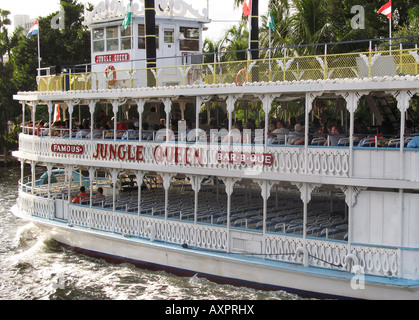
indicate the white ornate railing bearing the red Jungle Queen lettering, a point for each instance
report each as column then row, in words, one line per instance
column 249, row 159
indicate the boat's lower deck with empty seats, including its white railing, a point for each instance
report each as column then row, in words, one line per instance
column 240, row 223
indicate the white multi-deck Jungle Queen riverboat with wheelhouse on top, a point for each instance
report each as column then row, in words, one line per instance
column 259, row 210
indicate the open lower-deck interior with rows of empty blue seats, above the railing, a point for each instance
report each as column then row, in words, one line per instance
column 327, row 215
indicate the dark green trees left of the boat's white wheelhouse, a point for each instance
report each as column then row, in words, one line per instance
column 58, row 47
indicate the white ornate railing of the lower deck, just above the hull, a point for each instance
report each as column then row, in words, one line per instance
column 372, row 260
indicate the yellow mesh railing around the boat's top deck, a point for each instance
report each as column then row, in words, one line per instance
column 288, row 68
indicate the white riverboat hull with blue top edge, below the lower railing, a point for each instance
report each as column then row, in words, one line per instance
column 225, row 268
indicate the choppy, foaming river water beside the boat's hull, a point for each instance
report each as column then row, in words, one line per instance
column 33, row 267
